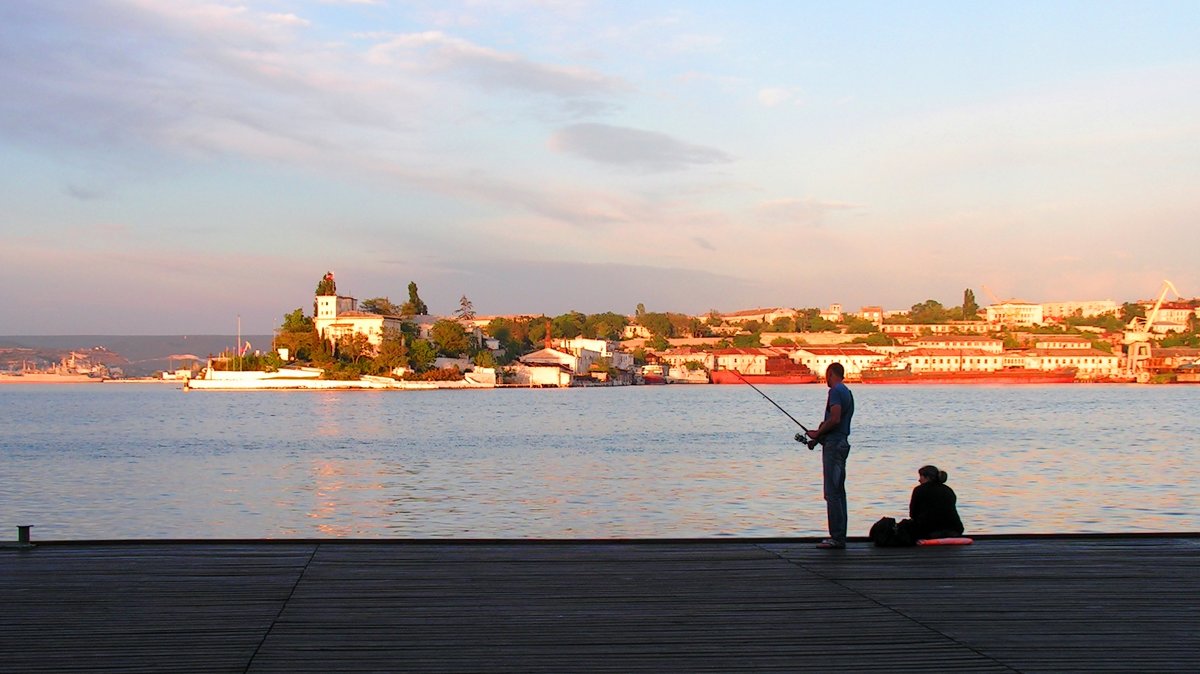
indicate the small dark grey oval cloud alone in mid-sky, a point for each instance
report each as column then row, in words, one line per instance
column 632, row 148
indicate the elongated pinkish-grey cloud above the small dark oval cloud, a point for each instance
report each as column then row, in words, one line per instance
column 435, row 51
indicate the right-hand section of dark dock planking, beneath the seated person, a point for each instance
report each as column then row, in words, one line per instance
column 1042, row 605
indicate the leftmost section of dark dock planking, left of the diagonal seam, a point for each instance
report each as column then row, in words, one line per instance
column 141, row 609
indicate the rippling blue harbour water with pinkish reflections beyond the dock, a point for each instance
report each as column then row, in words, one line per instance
column 149, row 461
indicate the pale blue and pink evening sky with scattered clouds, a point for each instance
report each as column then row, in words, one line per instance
column 178, row 167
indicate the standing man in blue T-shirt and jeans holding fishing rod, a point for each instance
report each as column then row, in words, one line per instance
column 835, row 438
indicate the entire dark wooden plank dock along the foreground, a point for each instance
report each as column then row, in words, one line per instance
column 1083, row 604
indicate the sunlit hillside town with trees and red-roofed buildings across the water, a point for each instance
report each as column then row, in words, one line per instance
column 376, row 344
